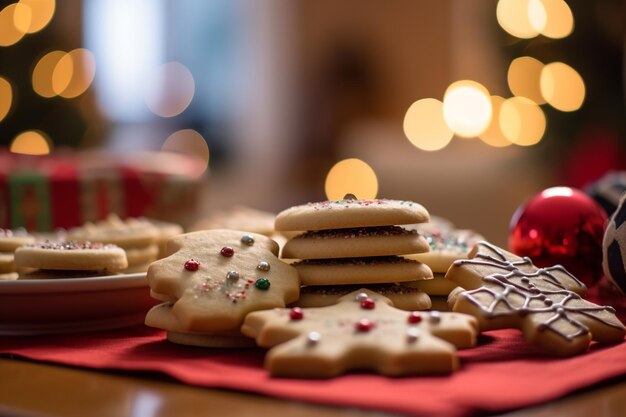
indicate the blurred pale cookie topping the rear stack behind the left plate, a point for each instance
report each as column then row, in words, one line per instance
column 128, row 233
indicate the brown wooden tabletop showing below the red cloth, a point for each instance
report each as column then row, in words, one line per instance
column 30, row 389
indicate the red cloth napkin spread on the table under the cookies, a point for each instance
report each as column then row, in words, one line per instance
column 503, row 373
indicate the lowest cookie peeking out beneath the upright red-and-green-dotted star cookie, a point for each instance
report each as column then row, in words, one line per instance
column 161, row 316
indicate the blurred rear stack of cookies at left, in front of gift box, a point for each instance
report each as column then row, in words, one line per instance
column 142, row 239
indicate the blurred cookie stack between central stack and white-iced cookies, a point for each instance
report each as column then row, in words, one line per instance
column 447, row 244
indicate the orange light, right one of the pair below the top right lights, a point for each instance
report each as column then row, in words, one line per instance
column 562, row 86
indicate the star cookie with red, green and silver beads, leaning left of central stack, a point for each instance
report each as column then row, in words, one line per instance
column 216, row 277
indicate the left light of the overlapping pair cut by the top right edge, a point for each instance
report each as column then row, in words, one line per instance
column 514, row 16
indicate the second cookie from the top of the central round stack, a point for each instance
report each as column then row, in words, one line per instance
column 355, row 242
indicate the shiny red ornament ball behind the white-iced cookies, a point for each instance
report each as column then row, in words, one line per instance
column 561, row 226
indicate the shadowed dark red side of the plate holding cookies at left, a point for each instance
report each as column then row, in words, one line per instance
column 60, row 305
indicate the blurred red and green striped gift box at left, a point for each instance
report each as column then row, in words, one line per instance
column 66, row 189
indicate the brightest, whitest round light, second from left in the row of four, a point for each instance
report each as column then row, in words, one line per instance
column 467, row 108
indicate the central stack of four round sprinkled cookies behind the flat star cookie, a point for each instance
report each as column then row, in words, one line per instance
column 350, row 244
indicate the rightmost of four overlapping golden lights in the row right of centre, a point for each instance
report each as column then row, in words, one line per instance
column 522, row 121
